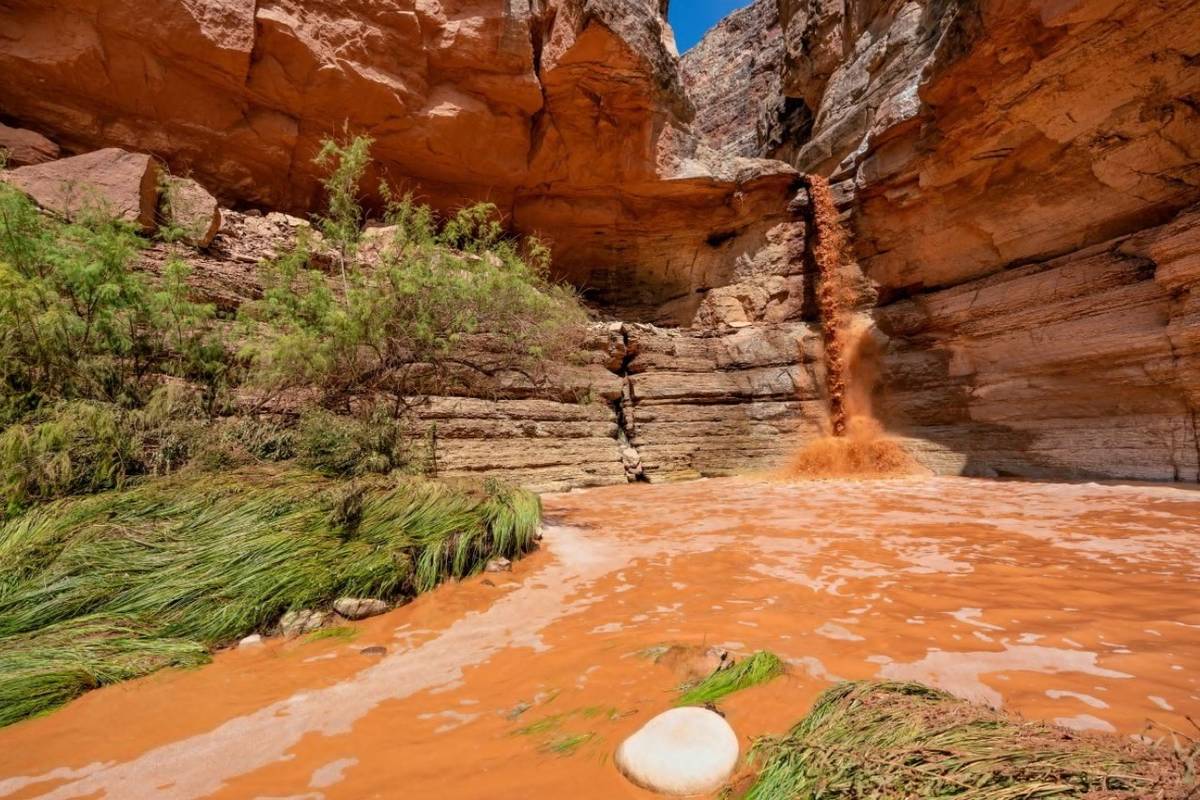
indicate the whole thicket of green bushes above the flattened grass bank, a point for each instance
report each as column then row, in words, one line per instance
column 109, row 374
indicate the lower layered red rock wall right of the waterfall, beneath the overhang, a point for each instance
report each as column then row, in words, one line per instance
column 1081, row 366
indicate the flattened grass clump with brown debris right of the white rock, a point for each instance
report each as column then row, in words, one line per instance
column 874, row 741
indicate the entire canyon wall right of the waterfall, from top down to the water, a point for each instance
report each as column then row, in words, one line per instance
column 1021, row 182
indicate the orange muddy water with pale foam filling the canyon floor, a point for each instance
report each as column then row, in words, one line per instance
column 1070, row 603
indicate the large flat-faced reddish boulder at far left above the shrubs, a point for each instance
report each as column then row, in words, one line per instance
column 111, row 182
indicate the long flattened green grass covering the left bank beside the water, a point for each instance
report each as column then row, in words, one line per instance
column 117, row 586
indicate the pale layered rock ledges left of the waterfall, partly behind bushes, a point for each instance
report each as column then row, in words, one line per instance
column 641, row 404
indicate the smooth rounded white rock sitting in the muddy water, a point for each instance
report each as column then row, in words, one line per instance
column 681, row 753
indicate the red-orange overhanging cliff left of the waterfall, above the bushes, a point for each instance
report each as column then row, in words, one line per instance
column 568, row 115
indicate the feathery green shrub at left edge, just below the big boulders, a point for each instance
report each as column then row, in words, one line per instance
column 79, row 323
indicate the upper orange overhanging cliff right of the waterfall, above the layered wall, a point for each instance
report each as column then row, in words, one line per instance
column 969, row 137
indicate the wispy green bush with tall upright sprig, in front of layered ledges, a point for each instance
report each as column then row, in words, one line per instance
column 431, row 312
